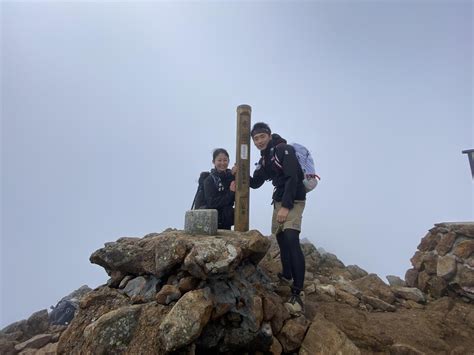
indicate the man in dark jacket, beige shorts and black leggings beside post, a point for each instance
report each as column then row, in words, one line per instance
column 279, row 164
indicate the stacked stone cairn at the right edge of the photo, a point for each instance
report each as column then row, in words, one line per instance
column 444, row 262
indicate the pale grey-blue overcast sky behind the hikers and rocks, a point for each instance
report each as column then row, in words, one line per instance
column 111, row 110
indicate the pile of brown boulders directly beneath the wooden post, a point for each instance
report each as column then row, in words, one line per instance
column 178, row 292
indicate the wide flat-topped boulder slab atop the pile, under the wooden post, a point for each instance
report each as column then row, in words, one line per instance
column 202, row 256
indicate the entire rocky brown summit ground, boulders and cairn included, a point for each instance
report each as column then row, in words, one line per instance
column 181, row 294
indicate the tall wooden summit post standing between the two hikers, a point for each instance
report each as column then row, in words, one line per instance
column 241, row 222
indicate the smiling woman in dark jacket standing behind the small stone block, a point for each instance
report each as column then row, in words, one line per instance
column 219, row 189
